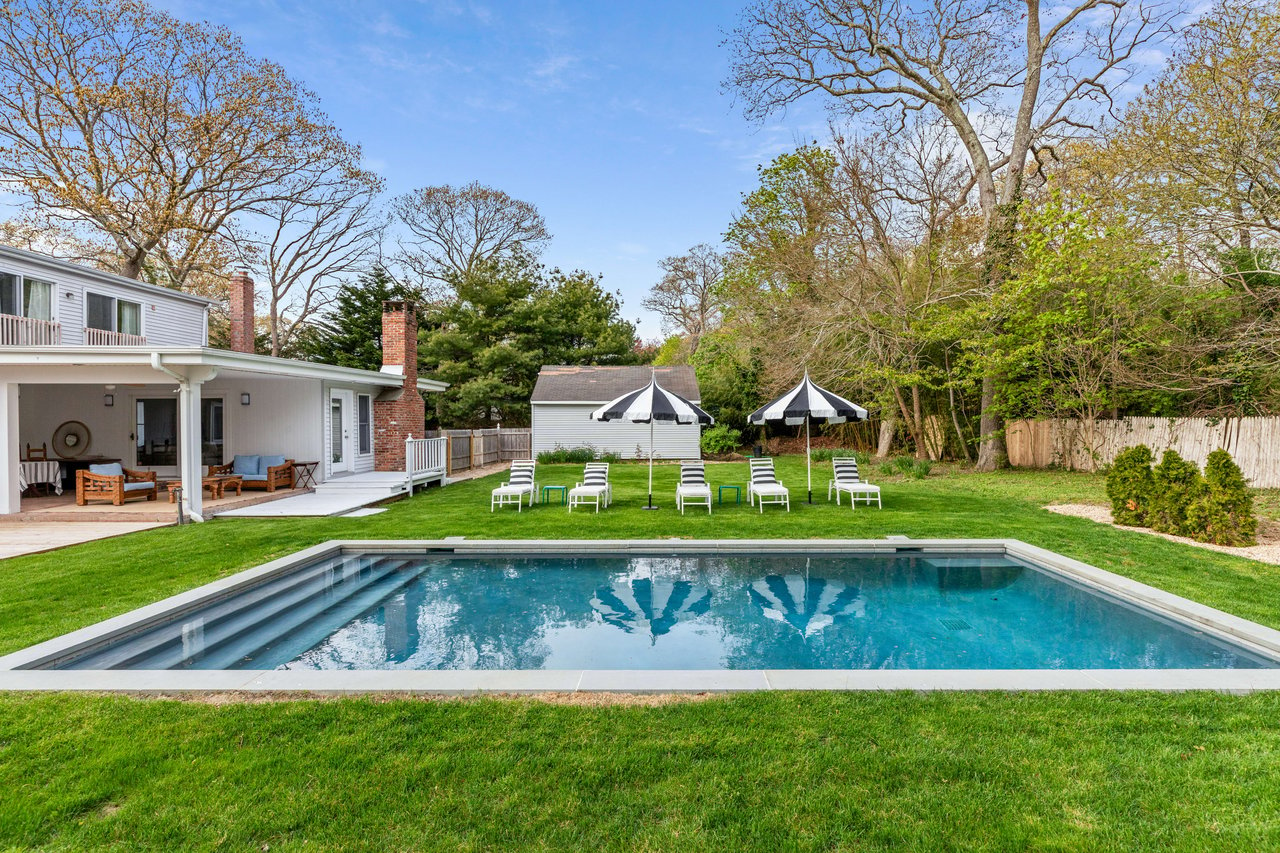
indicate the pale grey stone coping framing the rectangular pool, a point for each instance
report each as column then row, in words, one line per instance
column 16, row 673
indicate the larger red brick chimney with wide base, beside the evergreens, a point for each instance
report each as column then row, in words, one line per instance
column 396, row 419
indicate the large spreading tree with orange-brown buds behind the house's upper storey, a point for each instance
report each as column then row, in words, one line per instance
column 127, row 122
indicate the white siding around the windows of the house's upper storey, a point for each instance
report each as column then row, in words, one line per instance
column 167, row 321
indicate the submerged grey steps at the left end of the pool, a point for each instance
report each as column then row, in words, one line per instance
column 170, row 646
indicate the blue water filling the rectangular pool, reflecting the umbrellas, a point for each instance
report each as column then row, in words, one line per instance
column 847, row 612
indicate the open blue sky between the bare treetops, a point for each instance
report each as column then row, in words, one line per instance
column 607, row 116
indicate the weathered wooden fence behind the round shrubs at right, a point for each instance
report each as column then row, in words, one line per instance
column 1087, row 446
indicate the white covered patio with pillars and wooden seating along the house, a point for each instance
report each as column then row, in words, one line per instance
column 175, row 413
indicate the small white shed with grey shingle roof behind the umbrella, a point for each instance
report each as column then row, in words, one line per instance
column 566, row 395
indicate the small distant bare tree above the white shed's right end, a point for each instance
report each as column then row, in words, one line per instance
column 685, row 299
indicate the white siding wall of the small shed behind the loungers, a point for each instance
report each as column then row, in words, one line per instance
column 570, row 426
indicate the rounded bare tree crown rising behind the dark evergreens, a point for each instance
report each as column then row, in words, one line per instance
column 454, row 231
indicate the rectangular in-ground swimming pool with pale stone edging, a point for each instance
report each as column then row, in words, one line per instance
column 638, row 608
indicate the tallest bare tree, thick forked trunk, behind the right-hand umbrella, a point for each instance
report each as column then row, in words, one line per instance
column 1009, row 77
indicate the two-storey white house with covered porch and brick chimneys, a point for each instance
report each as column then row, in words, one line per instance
column 127, row 368
